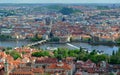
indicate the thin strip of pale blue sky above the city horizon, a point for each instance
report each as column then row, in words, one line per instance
column 59, row 1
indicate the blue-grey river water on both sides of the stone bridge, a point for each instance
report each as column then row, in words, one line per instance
column 106, row 49
